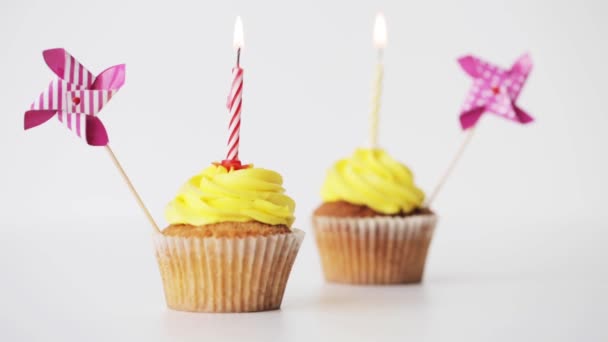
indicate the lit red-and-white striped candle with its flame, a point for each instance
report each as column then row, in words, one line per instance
column 235, row 98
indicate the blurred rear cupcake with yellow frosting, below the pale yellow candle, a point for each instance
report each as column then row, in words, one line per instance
column 372, row 227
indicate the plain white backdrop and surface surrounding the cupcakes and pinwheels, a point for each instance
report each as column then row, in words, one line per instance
column 520, row 250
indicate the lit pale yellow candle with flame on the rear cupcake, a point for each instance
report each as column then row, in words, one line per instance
column 380, row 44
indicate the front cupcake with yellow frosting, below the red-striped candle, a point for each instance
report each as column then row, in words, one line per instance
column 230, row 245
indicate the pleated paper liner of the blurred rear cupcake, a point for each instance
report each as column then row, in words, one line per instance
column 377, row 250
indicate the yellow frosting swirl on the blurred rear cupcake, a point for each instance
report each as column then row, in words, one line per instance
column 371, row 177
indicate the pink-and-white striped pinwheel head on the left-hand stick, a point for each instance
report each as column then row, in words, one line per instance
column 76, row 97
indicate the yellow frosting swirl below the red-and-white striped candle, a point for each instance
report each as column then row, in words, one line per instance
column 221, row 195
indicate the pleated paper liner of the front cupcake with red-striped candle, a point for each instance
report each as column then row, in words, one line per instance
column 226, row 274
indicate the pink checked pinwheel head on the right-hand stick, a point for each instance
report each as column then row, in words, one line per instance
column 494, row 90
